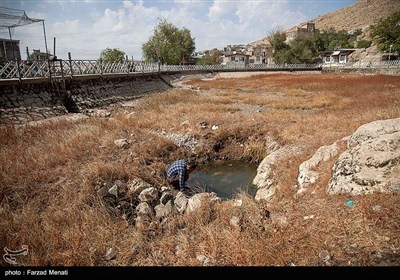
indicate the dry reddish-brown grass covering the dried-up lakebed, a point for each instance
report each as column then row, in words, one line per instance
column 48, row 175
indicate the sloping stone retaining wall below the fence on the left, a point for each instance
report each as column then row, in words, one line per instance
column 36, row 99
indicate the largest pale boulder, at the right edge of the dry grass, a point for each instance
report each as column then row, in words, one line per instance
column 371, row 164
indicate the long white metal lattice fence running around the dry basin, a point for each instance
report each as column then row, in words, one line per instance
column 69, row 68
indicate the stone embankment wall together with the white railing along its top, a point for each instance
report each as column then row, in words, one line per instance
column 36, row 90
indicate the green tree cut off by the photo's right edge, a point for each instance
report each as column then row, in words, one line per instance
column 386, row 33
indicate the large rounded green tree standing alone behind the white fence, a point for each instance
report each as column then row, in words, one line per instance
column 169, row 44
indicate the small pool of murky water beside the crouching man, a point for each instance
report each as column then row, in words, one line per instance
column 225, row 178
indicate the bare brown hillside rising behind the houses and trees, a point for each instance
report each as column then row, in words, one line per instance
column 358, row 15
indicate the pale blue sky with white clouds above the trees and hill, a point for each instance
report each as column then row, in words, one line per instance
column 86, row 27
